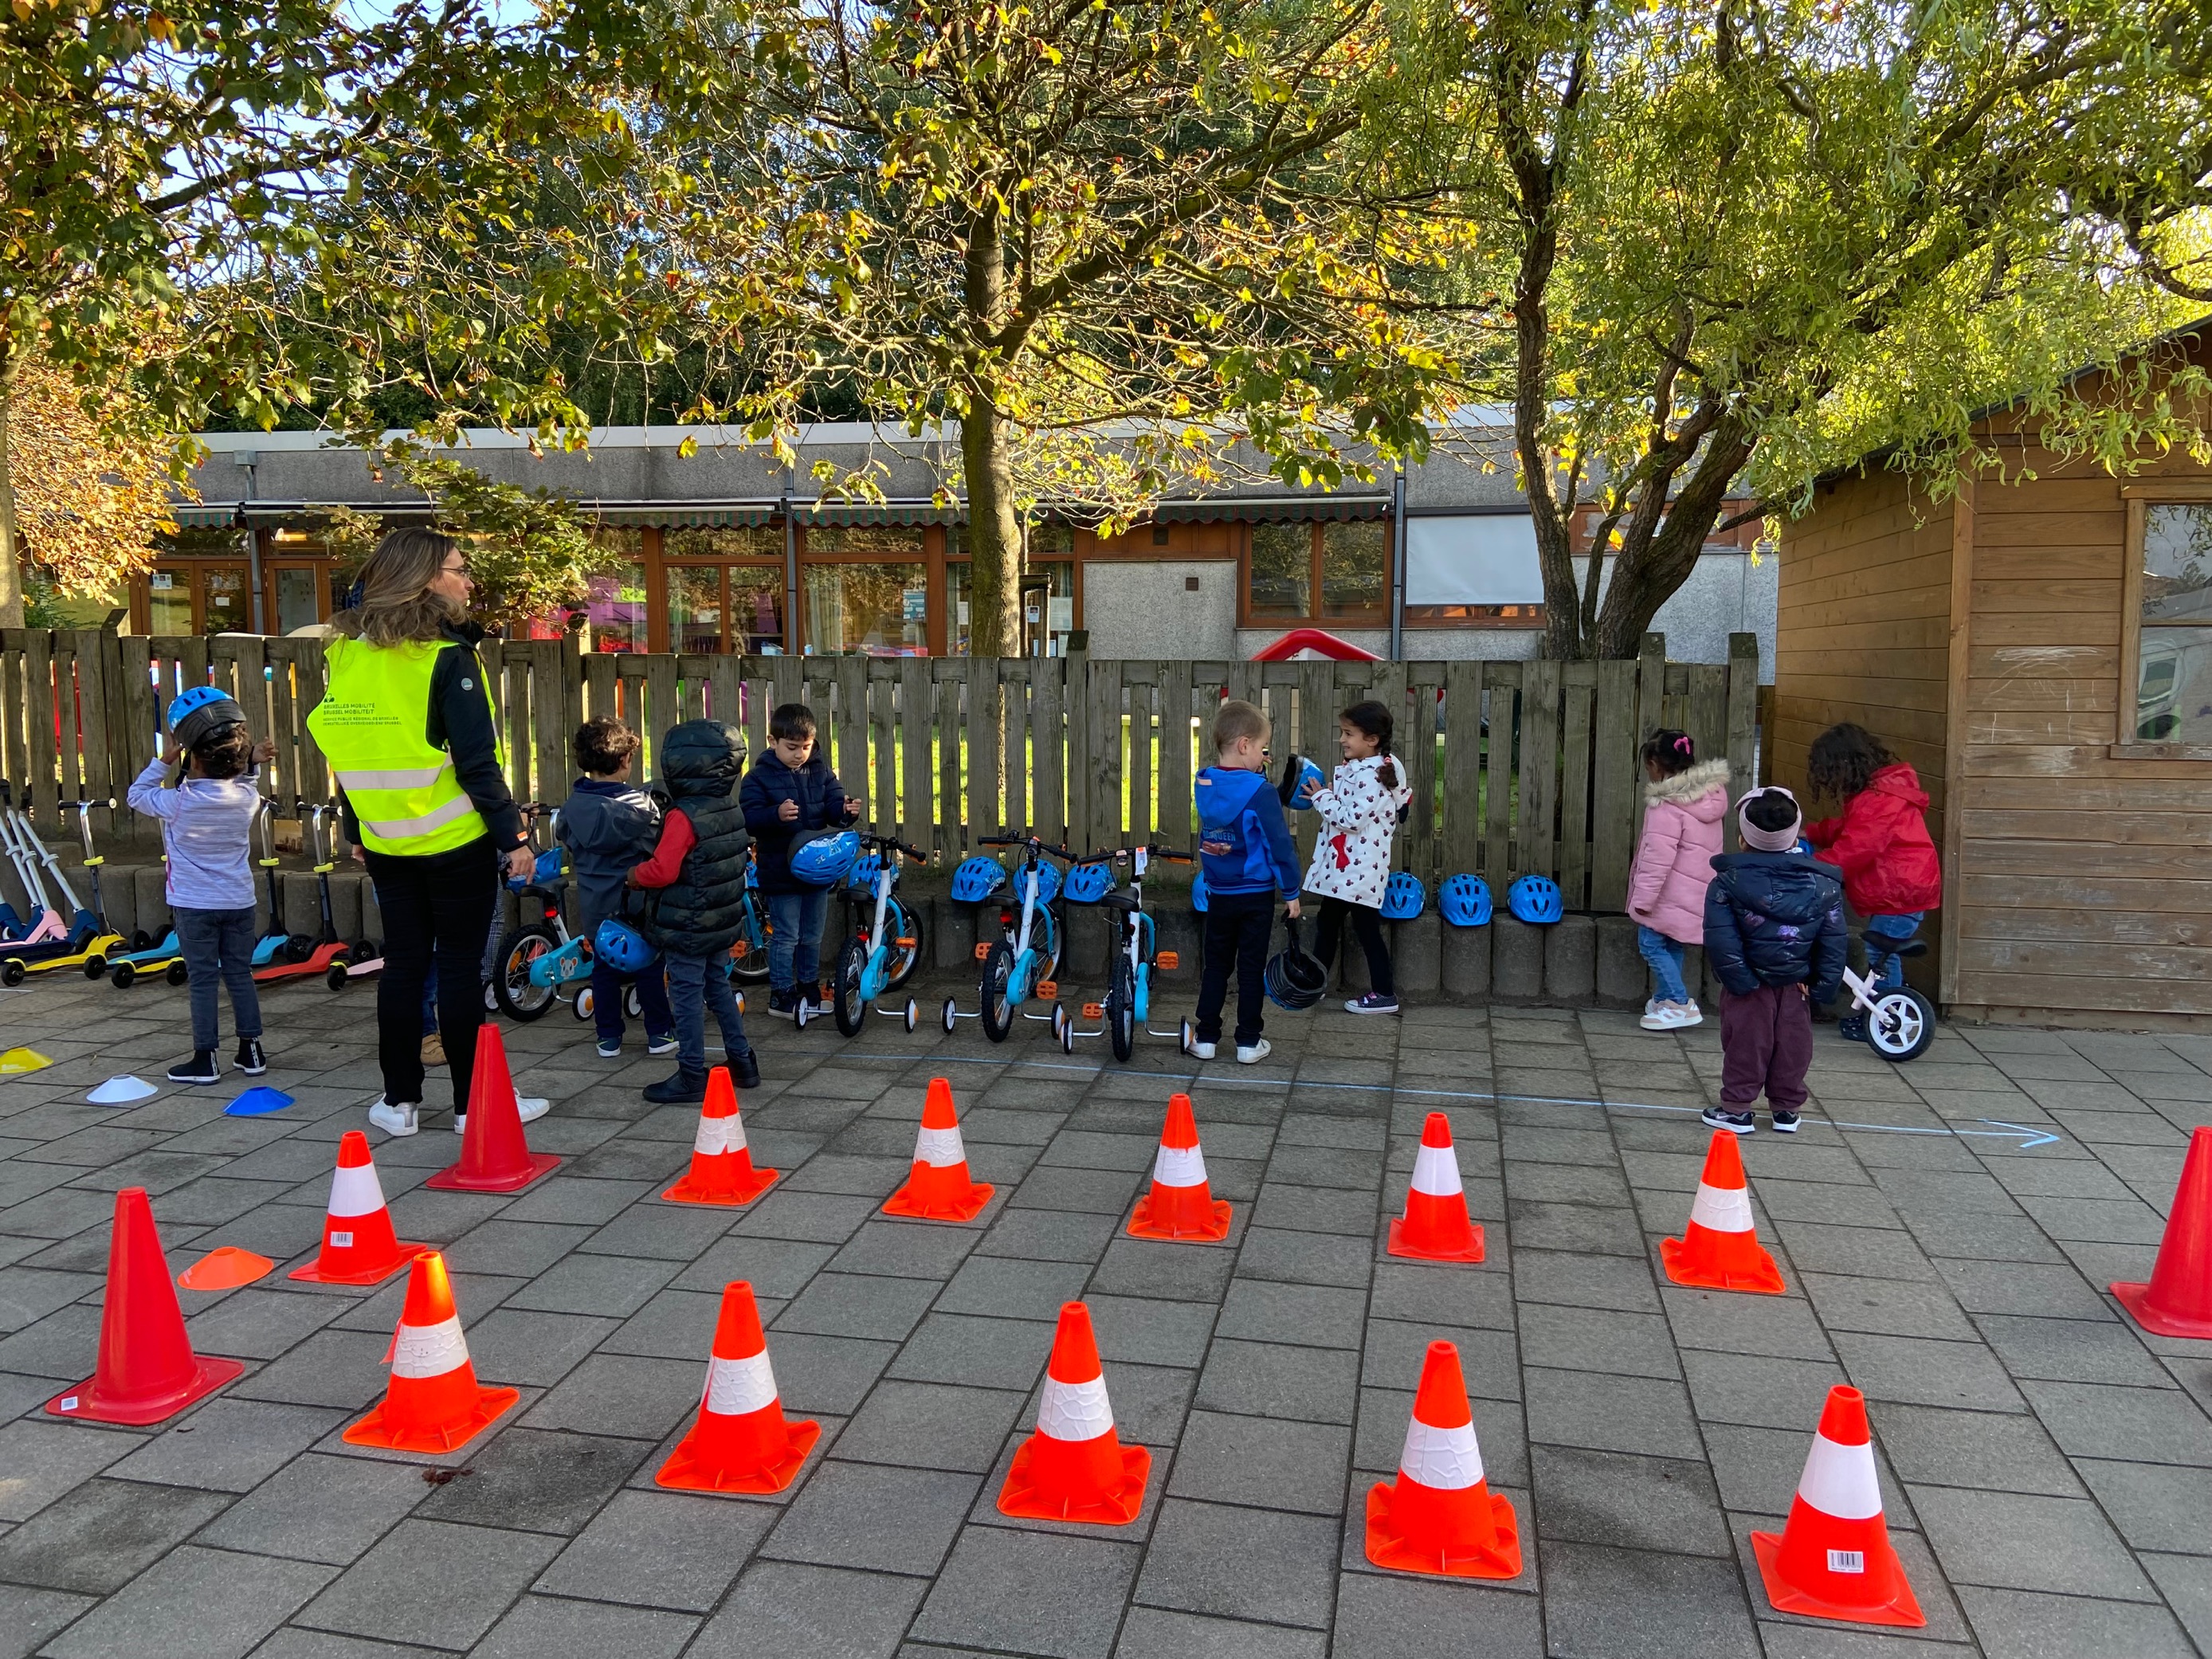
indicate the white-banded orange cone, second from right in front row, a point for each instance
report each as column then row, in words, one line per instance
column 1441, row 1514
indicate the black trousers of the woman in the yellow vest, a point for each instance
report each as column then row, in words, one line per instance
column 437, row 908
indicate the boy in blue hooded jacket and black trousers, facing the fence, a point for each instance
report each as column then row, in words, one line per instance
column 1249, row 859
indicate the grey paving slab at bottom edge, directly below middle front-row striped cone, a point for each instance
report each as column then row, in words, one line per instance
column 1034, row 1594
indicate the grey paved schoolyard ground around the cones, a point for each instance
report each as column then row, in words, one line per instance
column 1945, row 1231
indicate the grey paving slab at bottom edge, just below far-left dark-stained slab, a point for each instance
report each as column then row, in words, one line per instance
column 198, row 1600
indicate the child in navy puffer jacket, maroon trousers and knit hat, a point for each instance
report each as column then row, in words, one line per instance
column 1775, row 941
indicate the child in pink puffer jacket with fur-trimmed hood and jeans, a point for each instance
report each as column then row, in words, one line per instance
column 1684, row 802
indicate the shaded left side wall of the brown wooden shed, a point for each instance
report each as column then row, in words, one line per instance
column 1864, row 634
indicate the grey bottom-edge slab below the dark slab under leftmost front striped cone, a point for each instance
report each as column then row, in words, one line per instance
column 432, row 1585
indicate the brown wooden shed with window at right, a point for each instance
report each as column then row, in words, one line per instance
column 2043, row 656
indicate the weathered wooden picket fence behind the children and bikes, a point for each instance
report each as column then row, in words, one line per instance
column 1516, row 766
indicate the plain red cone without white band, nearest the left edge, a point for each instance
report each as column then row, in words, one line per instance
column 147, row 1366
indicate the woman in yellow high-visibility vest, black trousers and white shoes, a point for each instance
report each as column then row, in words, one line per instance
column 415, row 749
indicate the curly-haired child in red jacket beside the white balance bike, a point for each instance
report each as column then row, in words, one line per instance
column 1881, row 844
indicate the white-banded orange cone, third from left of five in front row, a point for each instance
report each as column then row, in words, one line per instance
column 1076, row 1468
